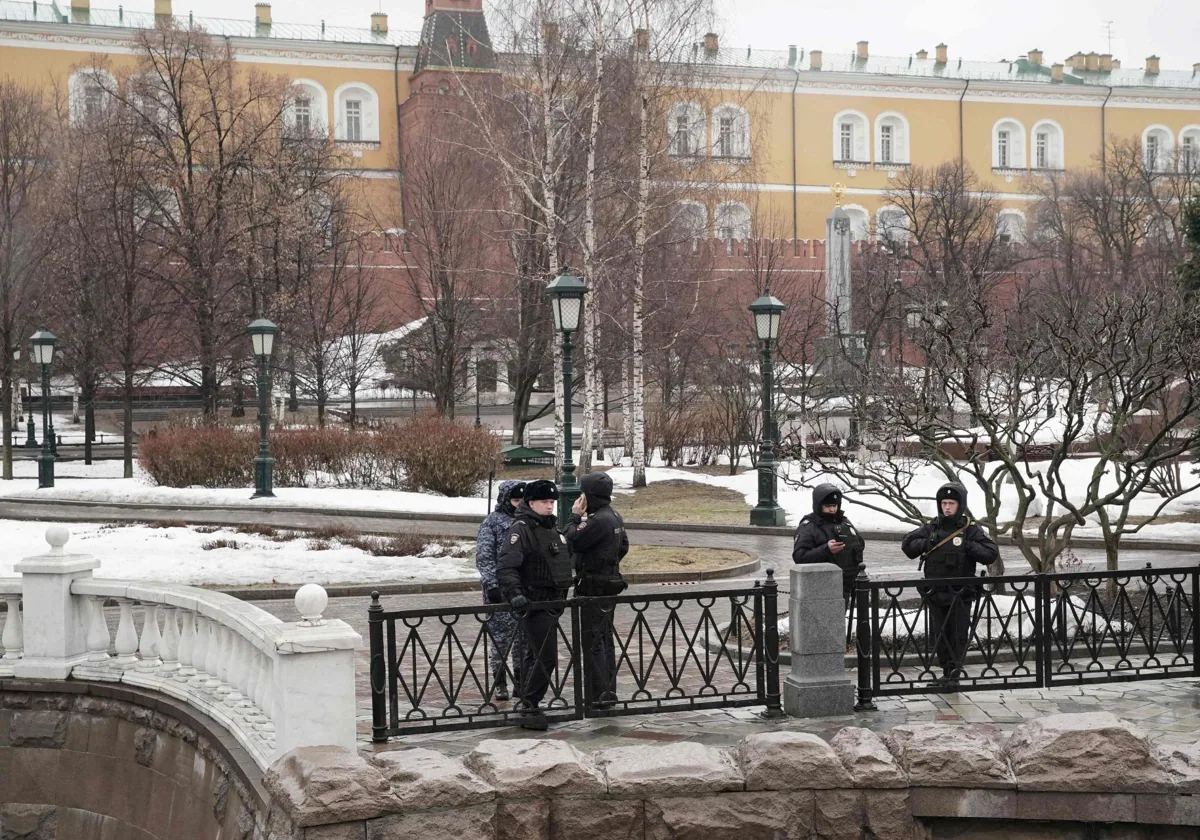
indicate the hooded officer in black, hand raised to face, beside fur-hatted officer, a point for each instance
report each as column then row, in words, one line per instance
column 597, row 537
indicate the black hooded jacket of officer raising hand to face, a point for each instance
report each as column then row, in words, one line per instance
column 598, row 543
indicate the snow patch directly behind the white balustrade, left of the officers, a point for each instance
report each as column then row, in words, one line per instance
column 177, row 556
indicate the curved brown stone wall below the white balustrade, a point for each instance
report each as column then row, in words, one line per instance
column 83, row 763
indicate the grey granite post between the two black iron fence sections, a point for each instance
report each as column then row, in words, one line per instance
column 818, row 686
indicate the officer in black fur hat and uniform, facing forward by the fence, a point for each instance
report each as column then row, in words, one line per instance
column 535, row 568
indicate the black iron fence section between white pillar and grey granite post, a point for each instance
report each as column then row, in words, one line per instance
column 465, row 668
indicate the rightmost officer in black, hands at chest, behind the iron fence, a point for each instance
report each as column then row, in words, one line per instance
column 951, row 547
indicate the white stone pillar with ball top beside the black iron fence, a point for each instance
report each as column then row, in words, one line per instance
column 311, row 695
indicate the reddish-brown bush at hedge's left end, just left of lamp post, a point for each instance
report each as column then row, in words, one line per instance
column 200, row 457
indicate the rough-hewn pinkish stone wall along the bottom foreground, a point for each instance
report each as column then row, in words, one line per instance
column 1066, row 776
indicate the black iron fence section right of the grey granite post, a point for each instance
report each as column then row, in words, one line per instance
column 1024, row 632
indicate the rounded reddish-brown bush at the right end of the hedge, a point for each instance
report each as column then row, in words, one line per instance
column 442, row 457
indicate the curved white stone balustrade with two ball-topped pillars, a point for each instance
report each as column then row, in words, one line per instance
column 273, row 685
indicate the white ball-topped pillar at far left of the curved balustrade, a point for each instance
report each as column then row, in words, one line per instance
column 53, row 627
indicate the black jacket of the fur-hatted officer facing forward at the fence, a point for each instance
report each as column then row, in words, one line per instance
column 535, row 560
